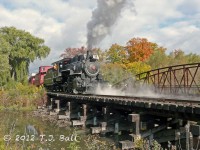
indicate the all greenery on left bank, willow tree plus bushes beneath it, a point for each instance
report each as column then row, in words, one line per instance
column 18, row 48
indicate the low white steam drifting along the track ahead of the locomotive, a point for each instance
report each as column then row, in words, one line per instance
column 132, row 89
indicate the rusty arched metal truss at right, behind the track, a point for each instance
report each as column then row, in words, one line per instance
column 178, row 79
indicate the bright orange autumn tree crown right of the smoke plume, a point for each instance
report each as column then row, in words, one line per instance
column 139, row 49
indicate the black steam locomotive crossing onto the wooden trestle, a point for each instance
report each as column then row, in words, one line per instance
column 79, row 74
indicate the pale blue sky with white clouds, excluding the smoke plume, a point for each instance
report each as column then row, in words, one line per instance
column 173, row 24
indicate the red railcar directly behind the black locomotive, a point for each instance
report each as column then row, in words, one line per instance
column 39, row 77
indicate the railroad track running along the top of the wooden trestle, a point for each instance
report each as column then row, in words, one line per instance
column 178, row 101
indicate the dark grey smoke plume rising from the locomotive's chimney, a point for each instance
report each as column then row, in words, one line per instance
column 103, row 18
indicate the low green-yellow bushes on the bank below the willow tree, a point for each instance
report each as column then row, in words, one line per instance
column 19, row 96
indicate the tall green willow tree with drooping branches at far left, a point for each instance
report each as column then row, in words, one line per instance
column 25, row 48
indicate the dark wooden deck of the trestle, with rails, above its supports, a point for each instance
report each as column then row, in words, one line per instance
column 171, row 105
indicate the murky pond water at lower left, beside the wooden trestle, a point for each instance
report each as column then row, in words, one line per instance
column 22, row 130
